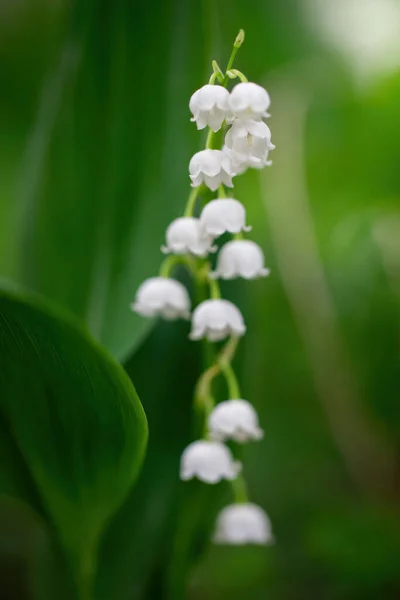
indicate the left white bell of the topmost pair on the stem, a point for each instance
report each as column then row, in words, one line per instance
column 209, row 106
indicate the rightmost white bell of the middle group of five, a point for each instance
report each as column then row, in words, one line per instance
column 240, row 258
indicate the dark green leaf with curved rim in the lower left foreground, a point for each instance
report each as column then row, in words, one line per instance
column 75, row 429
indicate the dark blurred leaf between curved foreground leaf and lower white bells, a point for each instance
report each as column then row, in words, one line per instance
column 137, row 543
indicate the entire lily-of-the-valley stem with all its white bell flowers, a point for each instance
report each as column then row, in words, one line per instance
column 190, row 240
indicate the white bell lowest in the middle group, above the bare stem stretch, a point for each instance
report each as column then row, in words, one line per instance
column 215, row 320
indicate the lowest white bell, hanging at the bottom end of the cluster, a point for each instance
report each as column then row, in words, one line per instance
column 240, row 524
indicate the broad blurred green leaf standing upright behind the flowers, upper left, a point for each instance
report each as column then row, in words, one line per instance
column 106, row 162
